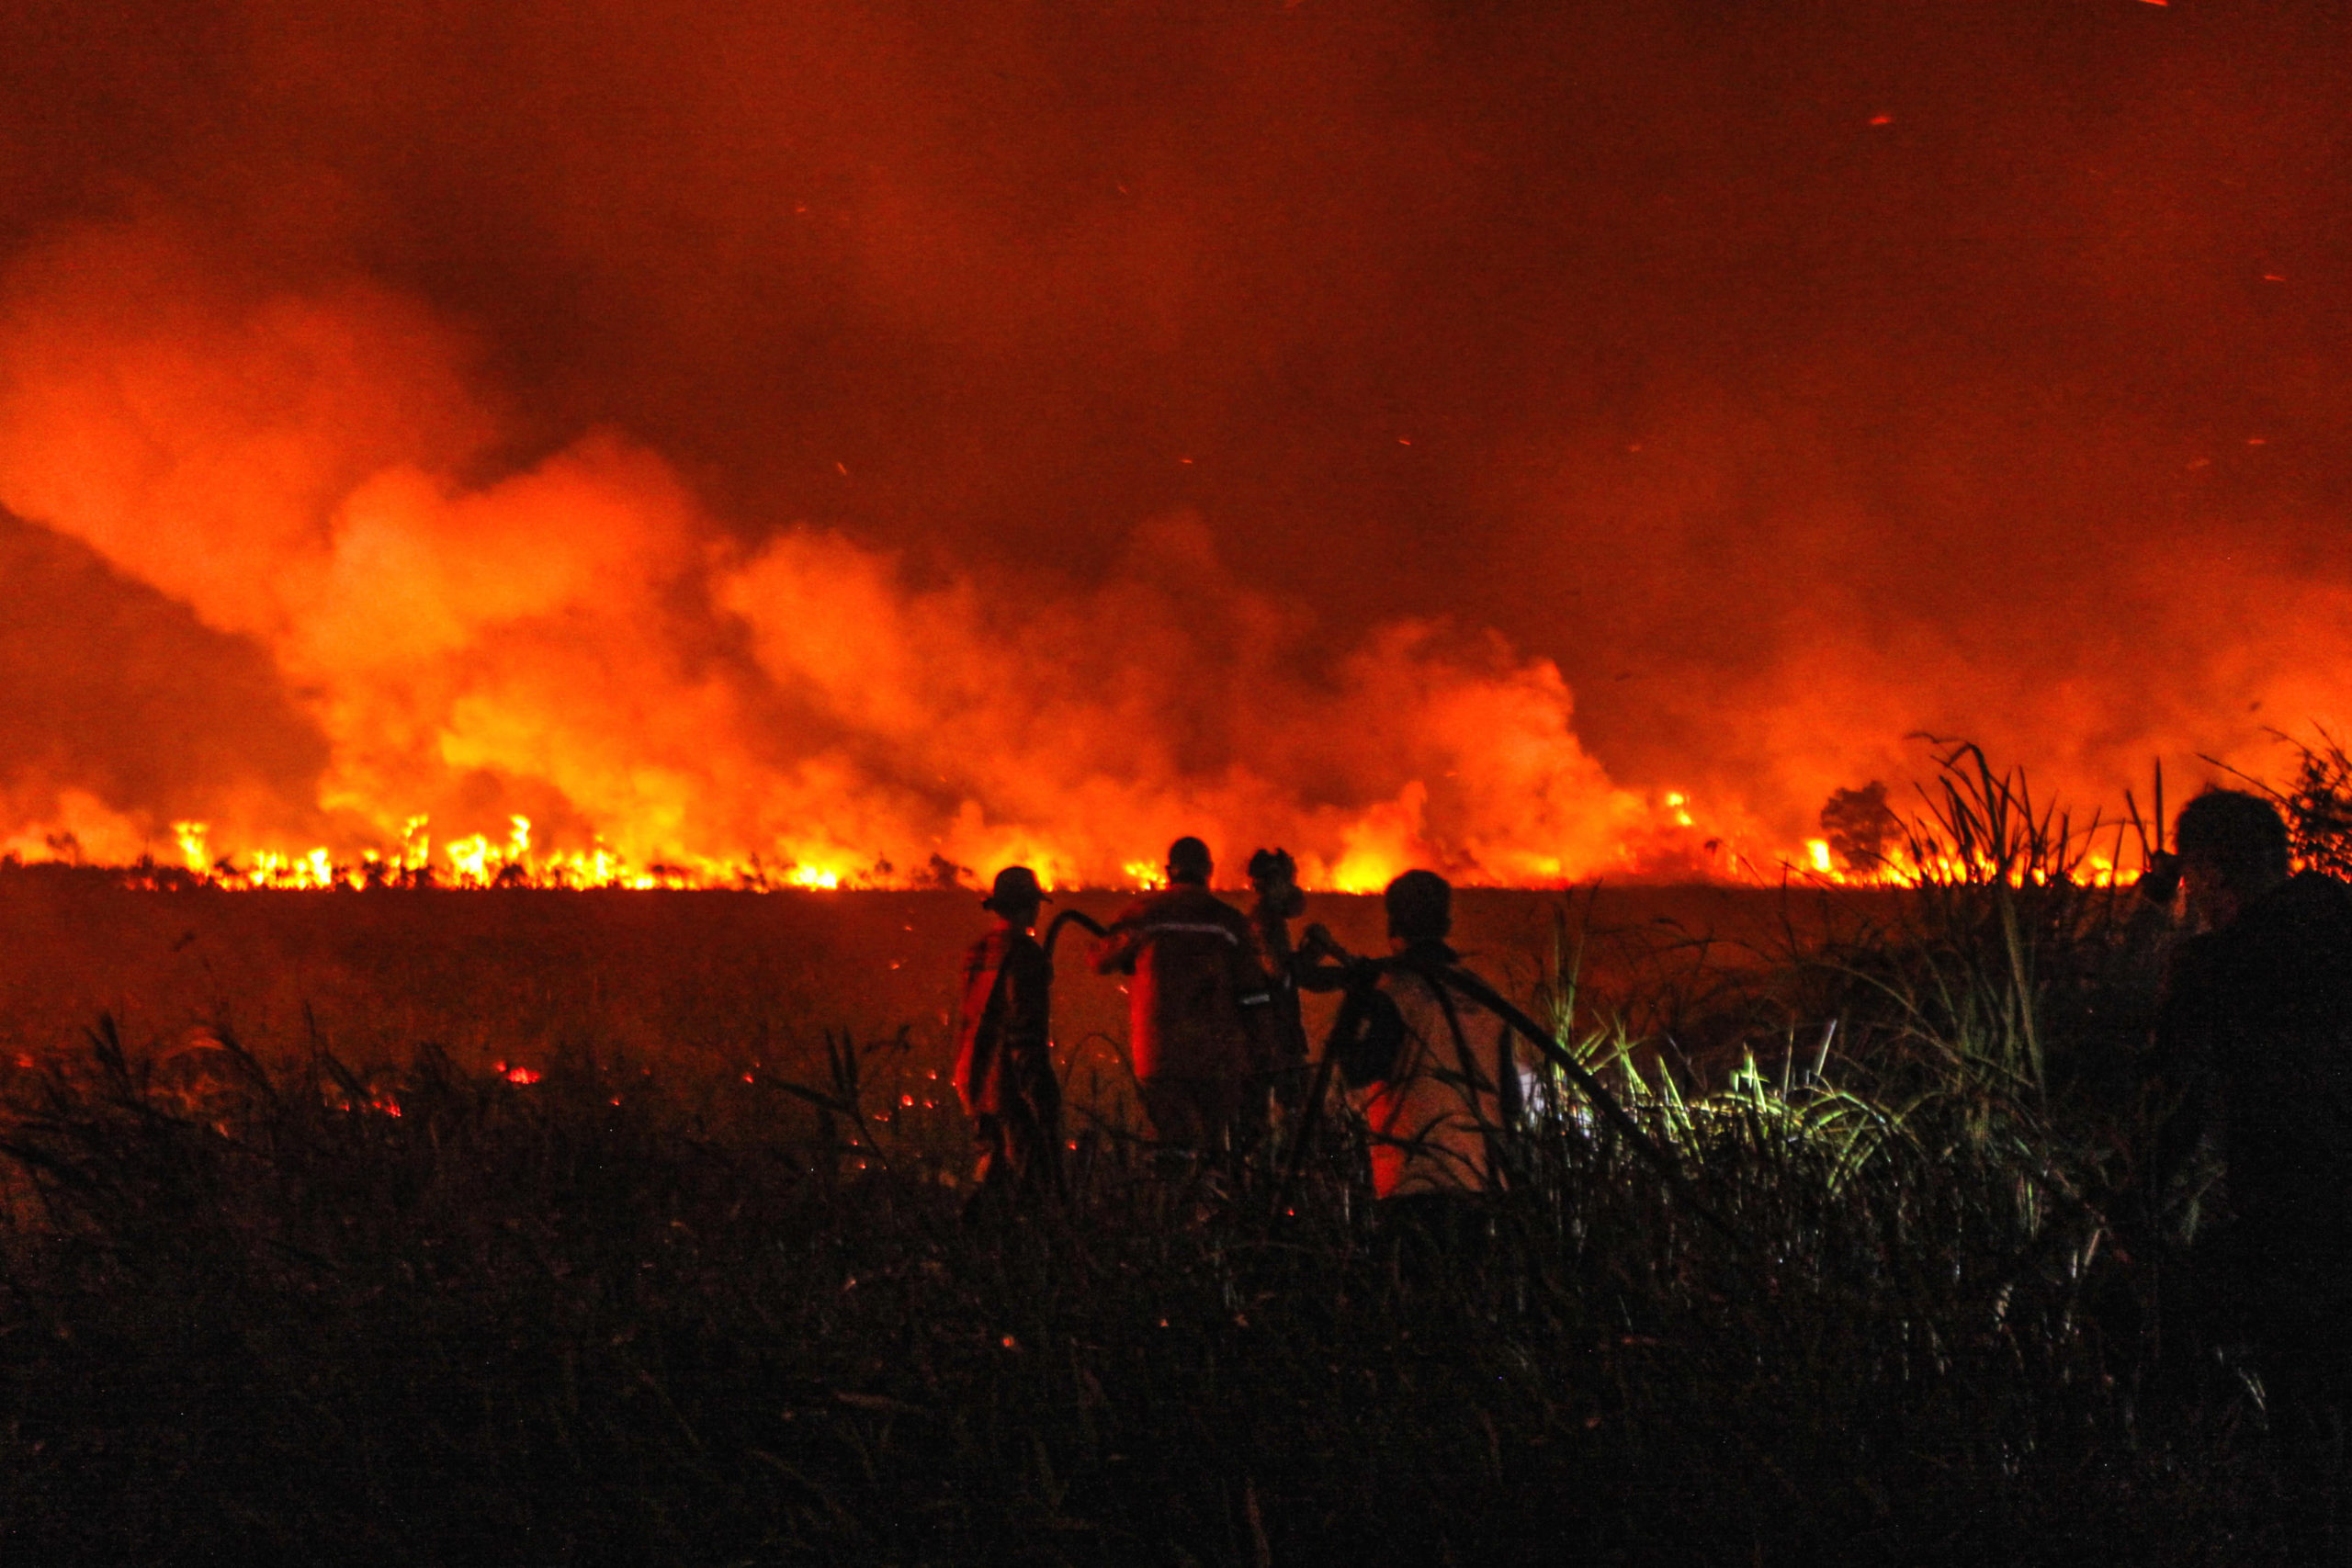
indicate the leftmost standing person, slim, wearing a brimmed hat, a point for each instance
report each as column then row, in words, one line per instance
column 1003, row 1050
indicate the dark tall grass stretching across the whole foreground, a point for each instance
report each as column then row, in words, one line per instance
column 432, row 1315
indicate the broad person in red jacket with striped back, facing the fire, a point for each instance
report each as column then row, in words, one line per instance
column 1198, row 1007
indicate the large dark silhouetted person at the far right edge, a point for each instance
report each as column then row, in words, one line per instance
column 2254, row 1038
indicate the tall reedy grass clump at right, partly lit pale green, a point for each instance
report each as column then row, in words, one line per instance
column 1944, row 1094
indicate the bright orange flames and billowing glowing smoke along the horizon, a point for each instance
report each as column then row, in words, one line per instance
column 582, row 676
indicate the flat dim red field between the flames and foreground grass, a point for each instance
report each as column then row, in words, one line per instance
column 723, row 979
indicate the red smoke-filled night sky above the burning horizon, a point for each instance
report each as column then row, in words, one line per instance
column 1412, row 436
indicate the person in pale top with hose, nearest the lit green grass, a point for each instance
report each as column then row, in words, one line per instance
column 1431, row 1071
